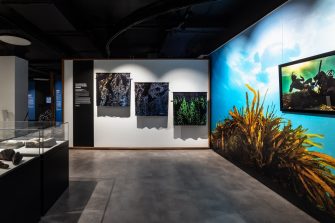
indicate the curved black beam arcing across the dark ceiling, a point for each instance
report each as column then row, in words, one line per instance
column 148, row 12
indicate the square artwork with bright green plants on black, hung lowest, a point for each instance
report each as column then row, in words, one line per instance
column 190, row 108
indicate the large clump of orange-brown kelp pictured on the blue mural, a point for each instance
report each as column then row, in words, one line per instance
column 257, row 138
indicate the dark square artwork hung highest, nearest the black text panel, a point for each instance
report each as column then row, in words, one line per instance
column 113, row 89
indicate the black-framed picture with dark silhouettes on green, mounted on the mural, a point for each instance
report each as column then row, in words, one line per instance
column 308, row 85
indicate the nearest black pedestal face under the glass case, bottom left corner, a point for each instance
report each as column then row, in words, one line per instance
column 20, row 193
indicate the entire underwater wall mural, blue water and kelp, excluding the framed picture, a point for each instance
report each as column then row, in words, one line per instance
column 301, row 160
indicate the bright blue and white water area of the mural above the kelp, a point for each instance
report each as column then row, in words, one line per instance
column 296, row 30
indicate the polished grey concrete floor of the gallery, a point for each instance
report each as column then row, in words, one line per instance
column 165, row 186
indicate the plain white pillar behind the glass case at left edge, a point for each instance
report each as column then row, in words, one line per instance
column 13, row 88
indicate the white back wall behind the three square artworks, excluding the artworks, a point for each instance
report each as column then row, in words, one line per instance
column 118, row 127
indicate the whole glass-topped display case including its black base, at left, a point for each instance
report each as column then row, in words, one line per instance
column 34, row 155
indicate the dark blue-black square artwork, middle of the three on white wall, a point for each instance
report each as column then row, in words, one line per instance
column 151, row 98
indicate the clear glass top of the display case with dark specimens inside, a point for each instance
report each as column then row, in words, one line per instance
column 22, row 141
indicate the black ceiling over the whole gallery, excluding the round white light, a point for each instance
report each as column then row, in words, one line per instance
column 123, row 28
